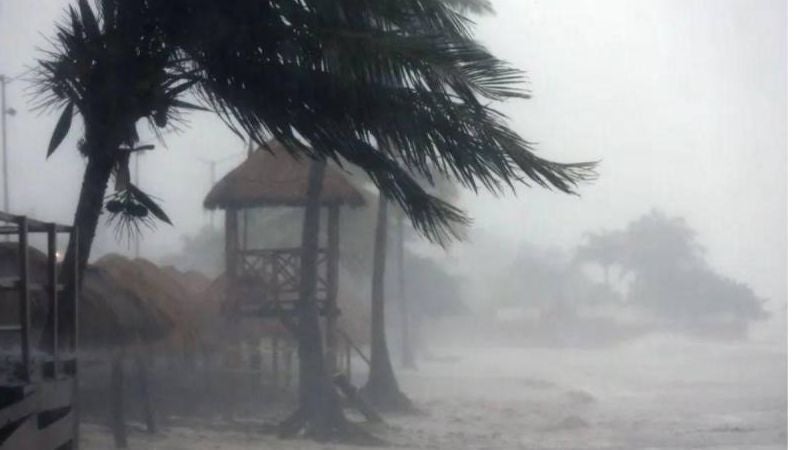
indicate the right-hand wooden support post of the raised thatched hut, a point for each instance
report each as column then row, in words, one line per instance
column 332, row 274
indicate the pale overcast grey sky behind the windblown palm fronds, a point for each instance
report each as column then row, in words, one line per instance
column 684, row 101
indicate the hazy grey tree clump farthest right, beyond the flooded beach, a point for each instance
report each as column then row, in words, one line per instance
column 673, row 284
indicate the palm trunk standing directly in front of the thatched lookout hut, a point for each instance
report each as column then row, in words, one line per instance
column 320, row 406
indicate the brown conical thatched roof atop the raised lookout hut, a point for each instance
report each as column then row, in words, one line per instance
column 273, row 177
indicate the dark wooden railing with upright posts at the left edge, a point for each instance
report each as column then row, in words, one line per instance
column 38, row 409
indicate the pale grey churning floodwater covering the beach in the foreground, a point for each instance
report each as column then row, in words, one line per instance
column 656, row 393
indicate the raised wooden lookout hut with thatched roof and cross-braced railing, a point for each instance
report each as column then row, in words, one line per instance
column 264, row 282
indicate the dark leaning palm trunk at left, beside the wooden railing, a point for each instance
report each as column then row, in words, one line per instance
column 90, row 205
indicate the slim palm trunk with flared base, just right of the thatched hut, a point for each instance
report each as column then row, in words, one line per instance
column 381, row 389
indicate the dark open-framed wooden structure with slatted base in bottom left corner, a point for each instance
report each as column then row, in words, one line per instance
column 38, row 390
